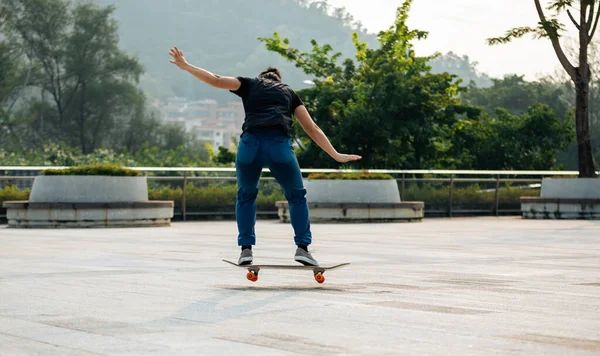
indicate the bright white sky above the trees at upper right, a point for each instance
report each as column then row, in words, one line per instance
column 462, row 26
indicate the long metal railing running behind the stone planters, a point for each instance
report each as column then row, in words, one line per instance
column 532, row 179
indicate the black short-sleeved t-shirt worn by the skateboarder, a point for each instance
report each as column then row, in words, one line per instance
column 267, row 102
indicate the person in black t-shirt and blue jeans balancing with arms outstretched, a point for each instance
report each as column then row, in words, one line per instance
column 266, row 141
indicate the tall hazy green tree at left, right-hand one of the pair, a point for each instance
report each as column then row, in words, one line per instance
column 106, row 75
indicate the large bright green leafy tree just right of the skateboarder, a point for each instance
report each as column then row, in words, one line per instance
column 387, row 106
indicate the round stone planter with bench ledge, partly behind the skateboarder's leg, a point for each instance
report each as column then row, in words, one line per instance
column 355, row 201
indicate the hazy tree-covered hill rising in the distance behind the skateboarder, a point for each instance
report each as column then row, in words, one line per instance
column 221, row 36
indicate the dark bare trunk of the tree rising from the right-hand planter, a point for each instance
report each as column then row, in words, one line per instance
column 584, row 146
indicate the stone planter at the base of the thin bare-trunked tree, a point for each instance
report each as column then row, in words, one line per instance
column 571, row 198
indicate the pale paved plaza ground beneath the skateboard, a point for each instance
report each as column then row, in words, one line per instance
column 474, row 286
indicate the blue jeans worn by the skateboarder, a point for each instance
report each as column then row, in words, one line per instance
column 269, row 147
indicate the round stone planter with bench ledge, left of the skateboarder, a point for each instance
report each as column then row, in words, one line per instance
column 88, row 201
